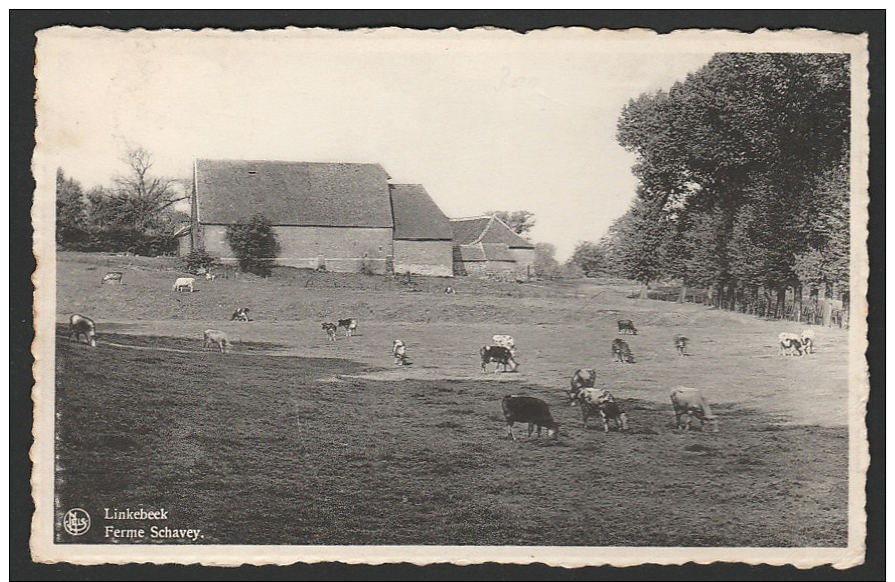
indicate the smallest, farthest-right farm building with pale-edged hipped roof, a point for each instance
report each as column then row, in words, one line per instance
column 485, row 245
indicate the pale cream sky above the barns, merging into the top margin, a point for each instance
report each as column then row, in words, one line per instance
column 485, row 120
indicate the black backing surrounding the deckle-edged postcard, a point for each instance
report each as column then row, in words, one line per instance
column 24, row 23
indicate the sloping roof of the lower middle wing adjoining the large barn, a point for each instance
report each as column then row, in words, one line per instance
column 417, row 217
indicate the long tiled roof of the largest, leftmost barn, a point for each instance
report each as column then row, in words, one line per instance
column 293, row 193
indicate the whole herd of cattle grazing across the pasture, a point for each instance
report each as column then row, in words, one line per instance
column 687, row 403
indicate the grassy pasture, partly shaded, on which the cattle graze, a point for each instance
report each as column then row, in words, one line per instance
column 291, row 439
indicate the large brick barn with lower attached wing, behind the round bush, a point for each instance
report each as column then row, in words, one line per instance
column 338, row 216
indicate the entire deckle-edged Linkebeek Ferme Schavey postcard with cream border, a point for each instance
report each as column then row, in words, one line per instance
column 574, row 297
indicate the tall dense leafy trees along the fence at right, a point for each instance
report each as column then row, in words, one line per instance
column 743, row 178
